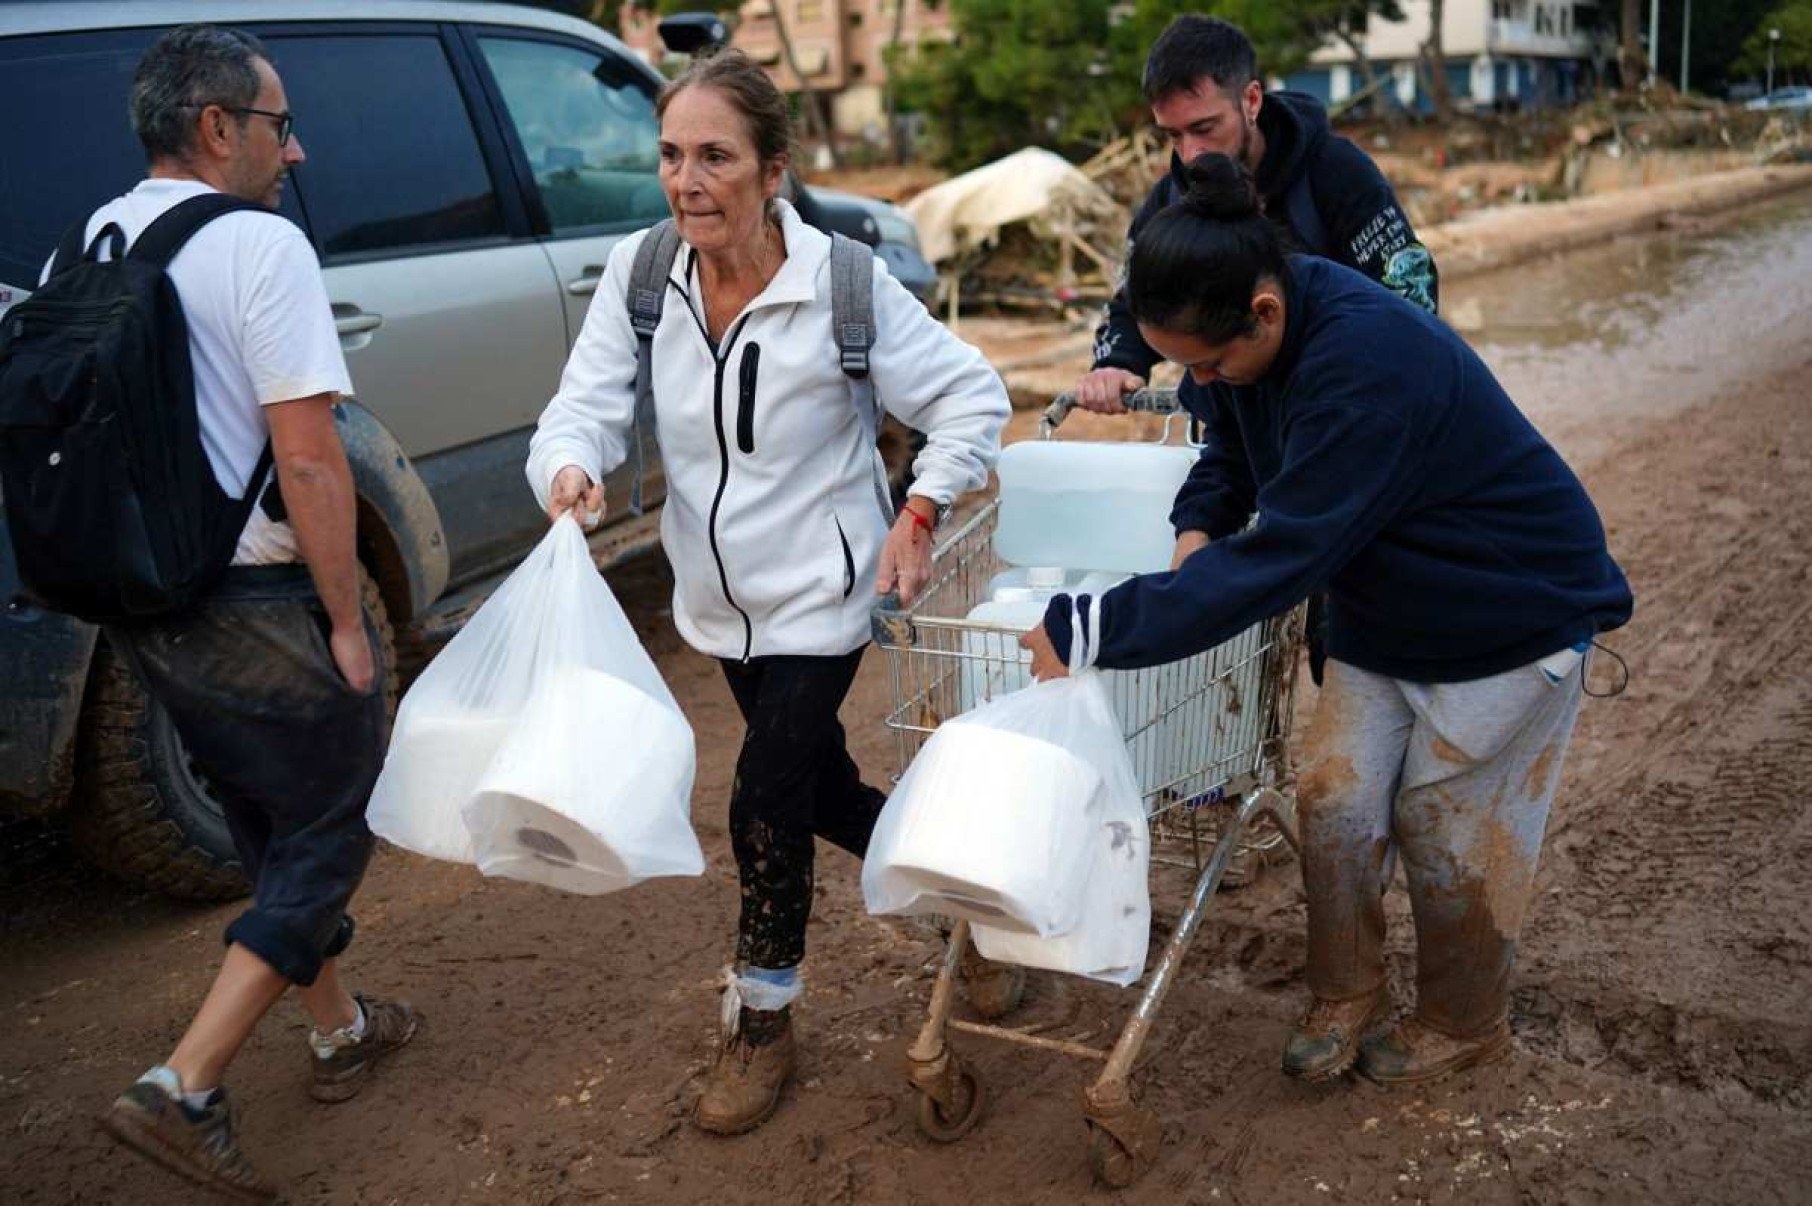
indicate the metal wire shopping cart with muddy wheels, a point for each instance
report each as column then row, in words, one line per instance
column 1208, row 740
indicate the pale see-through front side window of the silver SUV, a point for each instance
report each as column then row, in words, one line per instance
column 588, row 129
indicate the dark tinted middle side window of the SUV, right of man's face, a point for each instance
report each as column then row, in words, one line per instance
column 394, row 160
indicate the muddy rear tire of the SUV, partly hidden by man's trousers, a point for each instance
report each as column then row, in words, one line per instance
column 142, row 812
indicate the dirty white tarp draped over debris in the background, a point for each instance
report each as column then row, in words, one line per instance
column 969, row 211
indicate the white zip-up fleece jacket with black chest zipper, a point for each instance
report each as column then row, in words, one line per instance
column 771, row 519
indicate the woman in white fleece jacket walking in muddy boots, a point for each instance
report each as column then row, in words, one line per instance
column 771, row 522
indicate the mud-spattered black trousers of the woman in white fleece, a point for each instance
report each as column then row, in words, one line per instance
column 795, row 781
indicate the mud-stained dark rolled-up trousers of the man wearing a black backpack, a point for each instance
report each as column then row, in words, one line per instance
column 285, row 745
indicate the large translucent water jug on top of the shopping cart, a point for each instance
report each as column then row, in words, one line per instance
column 1090, row 506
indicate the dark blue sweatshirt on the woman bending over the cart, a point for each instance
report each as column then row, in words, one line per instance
column 1387, row 466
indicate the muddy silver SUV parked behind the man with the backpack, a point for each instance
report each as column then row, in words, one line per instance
column 470, row 167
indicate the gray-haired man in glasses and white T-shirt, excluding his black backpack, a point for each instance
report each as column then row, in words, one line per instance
column 273, row 680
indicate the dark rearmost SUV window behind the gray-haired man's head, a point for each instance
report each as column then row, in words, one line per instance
column 57, row 173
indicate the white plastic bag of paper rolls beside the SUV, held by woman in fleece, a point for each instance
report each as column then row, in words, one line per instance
column 543, row 743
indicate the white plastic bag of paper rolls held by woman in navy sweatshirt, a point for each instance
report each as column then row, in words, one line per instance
column 998, row 818
